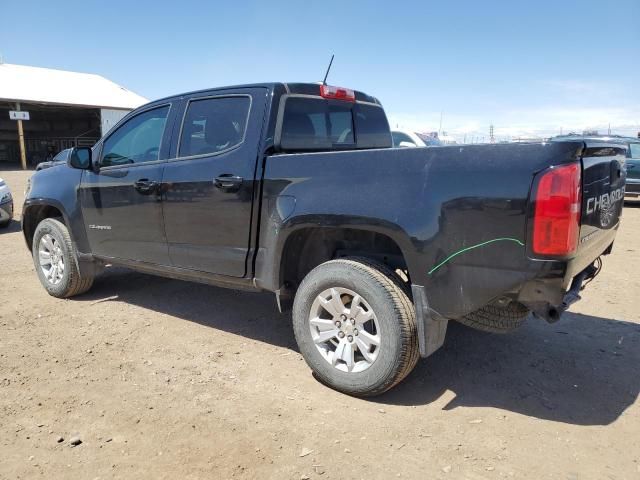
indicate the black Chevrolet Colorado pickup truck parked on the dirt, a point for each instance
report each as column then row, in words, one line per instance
column 295, row 189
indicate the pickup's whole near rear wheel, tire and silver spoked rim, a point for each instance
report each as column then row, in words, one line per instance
column 355, row 326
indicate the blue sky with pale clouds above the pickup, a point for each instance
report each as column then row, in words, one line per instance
column 528, row 67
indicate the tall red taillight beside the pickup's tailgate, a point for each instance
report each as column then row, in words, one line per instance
column 556, row 222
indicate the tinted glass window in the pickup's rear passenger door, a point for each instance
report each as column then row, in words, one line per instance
column 214, row 124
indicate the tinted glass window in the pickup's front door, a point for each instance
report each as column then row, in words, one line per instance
column 137, row 140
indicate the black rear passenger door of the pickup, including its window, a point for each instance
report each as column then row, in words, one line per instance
column 209, row 185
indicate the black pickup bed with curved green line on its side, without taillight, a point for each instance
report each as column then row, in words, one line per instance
column 460, row 214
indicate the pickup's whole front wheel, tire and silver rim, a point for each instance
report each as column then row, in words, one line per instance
column 55, row 261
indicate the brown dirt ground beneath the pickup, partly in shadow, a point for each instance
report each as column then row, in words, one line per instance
column 166, row 379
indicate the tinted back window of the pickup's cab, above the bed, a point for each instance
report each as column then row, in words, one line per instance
column 319, row 124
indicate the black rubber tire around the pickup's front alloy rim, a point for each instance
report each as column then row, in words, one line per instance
column 72, row 282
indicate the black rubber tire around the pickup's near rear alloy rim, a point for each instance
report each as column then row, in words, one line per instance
column 380, row 287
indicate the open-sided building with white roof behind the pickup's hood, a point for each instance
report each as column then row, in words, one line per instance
column 65, row 109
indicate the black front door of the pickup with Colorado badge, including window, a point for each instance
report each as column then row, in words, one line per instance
column 121, row 203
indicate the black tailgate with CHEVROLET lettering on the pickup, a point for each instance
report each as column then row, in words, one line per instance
column 603, row 184
